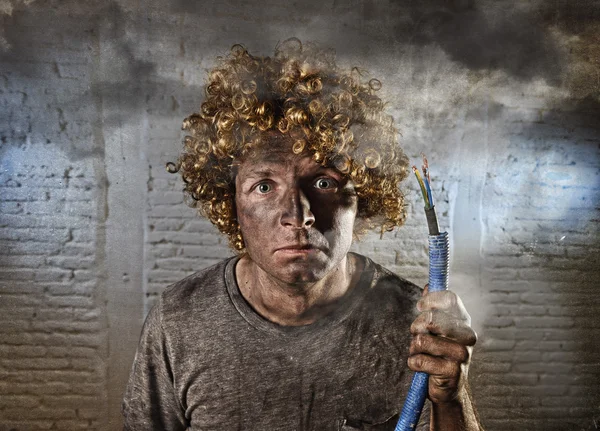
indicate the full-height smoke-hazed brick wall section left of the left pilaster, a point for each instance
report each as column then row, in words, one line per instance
column 53, row 321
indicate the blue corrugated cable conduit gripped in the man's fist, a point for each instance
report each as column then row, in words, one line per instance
column 438, row 280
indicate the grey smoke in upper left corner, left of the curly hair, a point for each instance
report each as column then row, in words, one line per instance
column 109, row 47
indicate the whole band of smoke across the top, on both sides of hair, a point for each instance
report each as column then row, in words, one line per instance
column 439, row 55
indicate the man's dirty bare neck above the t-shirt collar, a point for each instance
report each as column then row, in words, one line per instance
column 295, row 304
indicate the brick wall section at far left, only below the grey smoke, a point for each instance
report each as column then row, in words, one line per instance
column 52, row 321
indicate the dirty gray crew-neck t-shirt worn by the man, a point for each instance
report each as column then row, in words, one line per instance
column 207, row 361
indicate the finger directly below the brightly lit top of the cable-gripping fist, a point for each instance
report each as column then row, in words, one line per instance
column 441, row 323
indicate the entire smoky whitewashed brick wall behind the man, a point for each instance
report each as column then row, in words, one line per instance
column 502, row 96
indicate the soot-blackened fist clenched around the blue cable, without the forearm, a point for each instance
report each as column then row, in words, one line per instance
column 442, row 344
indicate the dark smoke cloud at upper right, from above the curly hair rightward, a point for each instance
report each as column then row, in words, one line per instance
column 438, row 57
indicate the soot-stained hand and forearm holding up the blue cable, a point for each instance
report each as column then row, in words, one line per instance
column 442, row 346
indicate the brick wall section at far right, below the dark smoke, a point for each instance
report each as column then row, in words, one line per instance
column 542, row 269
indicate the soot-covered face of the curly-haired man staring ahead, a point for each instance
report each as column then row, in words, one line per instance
column 296, row 216
